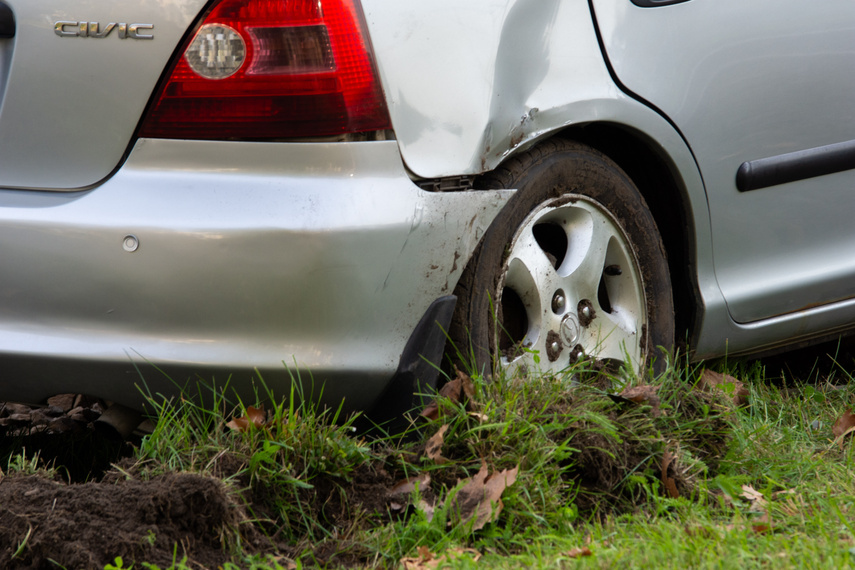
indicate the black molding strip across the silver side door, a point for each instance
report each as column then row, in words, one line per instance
column 794, row 166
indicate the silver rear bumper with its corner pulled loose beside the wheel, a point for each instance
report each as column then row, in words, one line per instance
column 322, row 256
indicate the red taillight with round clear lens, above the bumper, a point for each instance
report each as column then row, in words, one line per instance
column 271, row 69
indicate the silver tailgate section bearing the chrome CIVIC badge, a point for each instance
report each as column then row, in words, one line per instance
column 75, row 77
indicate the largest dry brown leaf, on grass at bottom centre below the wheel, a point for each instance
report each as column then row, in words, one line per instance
column 480, row 497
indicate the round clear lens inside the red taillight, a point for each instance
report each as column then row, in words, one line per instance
column 216, row 52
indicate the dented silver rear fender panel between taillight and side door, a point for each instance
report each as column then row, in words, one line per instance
column 475, row 81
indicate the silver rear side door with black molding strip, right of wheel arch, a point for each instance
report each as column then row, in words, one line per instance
column 767, row 86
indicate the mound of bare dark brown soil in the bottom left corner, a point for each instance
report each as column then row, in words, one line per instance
column 44, row 522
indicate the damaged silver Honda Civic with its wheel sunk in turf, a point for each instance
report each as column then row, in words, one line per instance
column 329, row 188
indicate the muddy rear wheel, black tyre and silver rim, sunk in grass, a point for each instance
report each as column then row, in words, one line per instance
column 573, row 268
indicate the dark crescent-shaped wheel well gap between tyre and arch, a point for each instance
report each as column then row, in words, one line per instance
column 657, row 182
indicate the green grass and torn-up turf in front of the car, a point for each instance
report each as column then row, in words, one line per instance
column 682, row 478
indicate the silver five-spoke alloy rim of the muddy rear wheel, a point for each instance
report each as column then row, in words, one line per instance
column 571, row 290
